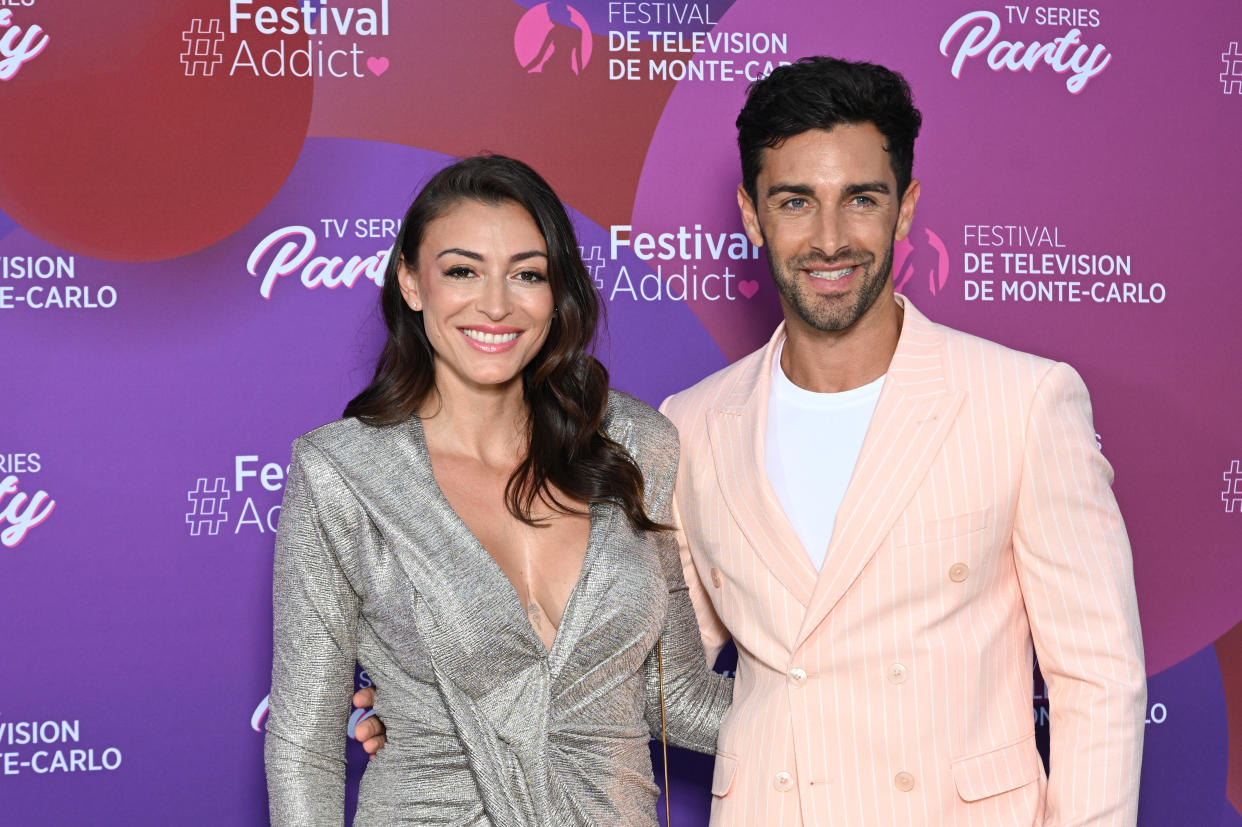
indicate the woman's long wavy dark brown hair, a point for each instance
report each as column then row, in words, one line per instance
column 566, row 387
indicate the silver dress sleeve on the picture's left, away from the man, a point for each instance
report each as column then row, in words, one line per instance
column 315, row 624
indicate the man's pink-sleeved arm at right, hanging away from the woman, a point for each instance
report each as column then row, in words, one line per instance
column 1077, row 578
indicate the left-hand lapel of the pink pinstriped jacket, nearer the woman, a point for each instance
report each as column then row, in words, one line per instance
column 737, row 433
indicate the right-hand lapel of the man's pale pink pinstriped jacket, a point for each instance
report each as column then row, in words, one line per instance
column 913, row 417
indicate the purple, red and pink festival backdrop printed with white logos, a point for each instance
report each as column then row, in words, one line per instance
column 197, row 202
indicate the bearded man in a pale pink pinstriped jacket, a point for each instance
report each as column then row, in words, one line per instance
column 891, row 518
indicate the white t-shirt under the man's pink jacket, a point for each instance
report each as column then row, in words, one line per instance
column 812, row 448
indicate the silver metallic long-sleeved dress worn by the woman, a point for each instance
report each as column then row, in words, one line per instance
column 485, row 725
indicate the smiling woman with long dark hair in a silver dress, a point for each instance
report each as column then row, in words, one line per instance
column 483, row 533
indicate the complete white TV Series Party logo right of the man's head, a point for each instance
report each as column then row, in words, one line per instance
column 979, row 34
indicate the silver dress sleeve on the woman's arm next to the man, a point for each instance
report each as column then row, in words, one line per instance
column 696, row 698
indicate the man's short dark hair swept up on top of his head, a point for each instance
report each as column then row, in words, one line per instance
column 822, row 94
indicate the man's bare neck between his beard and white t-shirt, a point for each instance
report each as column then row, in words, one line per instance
column 840, row 361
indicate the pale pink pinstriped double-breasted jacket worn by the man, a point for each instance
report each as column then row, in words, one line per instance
column 895, row 686
